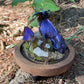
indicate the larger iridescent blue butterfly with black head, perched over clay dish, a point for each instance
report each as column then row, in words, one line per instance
column 48, row 31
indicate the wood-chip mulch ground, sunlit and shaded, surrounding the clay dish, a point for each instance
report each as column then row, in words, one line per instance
column 12, row 22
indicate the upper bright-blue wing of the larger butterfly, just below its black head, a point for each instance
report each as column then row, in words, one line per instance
column 47, row 29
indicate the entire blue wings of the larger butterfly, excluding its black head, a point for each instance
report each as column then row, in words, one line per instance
column 48, row 31
